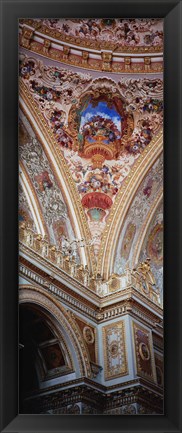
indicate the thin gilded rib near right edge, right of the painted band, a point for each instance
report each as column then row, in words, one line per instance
column 144, row 229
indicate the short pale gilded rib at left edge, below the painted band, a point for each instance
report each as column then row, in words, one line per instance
column 32, row 200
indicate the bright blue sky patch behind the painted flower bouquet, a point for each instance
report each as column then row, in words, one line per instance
column 103, row 110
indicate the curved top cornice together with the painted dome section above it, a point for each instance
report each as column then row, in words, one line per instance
column 112, row 45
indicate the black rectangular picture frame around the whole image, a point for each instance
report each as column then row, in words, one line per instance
column 11, row 11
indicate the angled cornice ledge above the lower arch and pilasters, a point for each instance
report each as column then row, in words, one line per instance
column 129, row 301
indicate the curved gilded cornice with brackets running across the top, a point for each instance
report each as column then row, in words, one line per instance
column 89, row 54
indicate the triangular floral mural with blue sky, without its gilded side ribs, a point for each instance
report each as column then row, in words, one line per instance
column 101, row 127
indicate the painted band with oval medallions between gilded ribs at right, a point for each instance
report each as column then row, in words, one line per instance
column 140, row 208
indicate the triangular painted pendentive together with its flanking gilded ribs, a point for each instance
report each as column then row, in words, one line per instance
column 95, row 195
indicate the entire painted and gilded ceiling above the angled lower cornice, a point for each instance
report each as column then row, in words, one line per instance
column 91, row 140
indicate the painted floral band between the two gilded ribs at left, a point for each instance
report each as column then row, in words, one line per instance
column 48, row 193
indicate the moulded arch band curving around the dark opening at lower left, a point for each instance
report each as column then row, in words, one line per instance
column 64, row 322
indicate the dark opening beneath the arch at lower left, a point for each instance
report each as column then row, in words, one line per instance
column 39, row 348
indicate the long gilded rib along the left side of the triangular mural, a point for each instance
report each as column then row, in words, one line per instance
column 61, row 171
